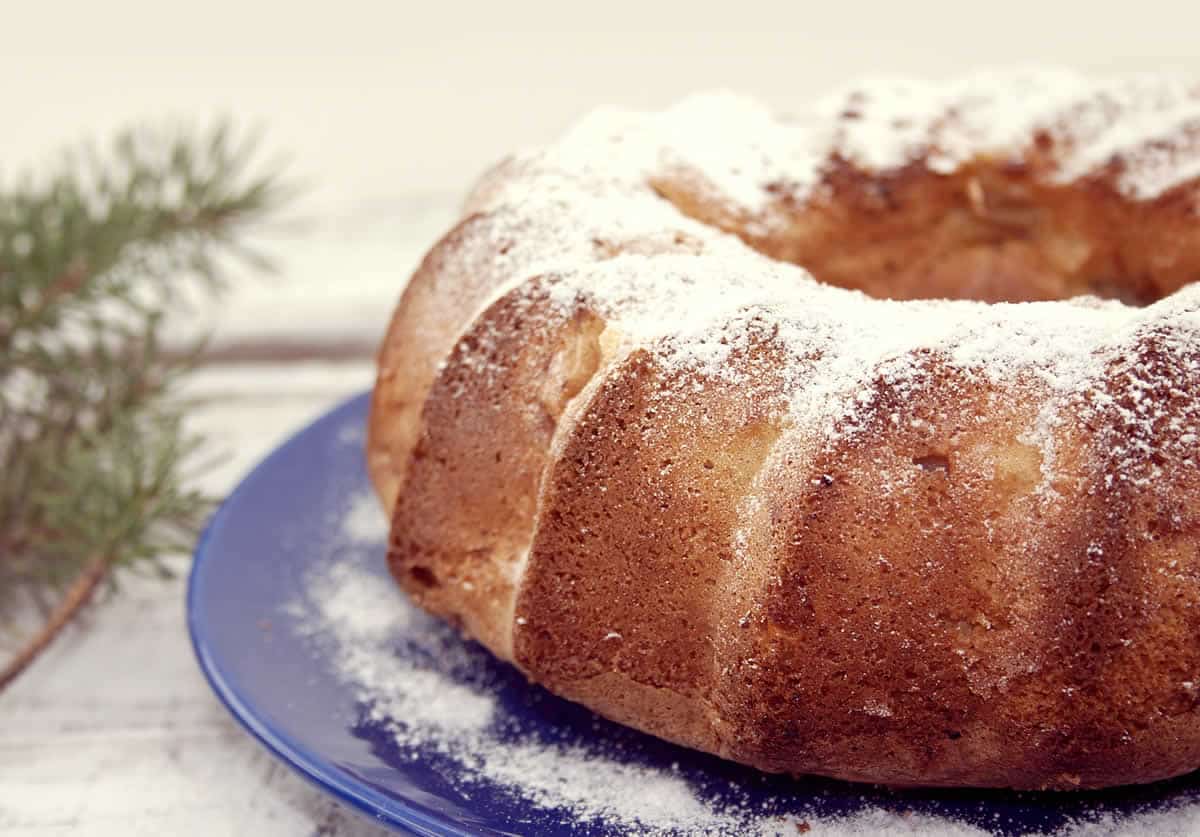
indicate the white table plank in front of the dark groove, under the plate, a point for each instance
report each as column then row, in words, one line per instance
column 115, row 731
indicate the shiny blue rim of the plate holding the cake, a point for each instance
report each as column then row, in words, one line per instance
column 329, row 778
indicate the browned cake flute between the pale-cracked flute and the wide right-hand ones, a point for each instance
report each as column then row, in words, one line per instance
column 653, row 484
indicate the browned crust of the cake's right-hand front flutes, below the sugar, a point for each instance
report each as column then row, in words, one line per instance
column 955, row 633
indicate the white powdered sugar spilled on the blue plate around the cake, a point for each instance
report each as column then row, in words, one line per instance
column 417, row 679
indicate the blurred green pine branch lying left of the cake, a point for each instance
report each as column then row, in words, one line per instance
column 92, row 436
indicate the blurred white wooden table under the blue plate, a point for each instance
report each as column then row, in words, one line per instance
column 115, row 731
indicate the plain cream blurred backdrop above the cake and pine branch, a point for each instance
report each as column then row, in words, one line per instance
column 375, row 100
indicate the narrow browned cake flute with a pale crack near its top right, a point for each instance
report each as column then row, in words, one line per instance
column 458, row 544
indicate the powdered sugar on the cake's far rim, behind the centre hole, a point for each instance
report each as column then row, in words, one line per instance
column 1148, row 123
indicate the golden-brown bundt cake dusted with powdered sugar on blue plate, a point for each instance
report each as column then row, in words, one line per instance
column 859, row 443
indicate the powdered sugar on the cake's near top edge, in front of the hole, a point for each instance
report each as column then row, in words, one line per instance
column 694, row 312
